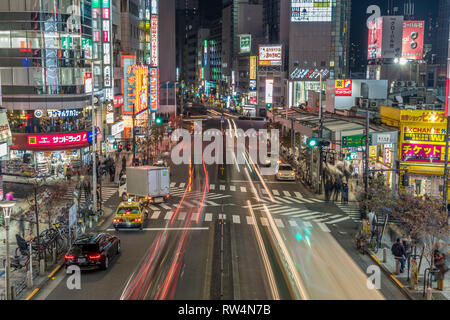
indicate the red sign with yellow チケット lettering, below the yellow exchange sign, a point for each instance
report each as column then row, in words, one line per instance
column 427, row 153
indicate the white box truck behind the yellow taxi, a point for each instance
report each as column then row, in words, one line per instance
column 145, row 184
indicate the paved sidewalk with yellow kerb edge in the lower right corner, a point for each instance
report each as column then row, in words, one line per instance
column 402, row 280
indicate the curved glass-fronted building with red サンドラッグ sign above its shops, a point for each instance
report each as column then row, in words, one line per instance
column 46, row 53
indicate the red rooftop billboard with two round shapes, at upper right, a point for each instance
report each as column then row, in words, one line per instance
column 413, row 36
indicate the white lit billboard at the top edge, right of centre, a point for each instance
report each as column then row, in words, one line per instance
column 311, row 10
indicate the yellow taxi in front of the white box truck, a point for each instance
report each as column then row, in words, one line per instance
column 129, row 215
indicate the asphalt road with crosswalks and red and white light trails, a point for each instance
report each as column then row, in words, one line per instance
column 240, row 240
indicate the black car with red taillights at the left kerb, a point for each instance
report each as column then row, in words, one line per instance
column 92, row 251
